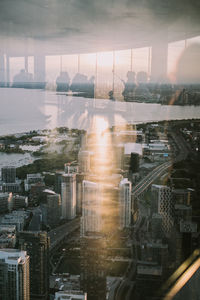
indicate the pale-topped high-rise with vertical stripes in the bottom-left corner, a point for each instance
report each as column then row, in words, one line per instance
column 14, row 278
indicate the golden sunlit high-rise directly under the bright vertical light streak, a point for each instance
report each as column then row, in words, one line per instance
column 91, row 222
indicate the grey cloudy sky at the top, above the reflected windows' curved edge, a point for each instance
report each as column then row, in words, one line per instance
column 88, row 25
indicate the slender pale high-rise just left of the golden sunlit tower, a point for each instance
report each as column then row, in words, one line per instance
column 68, row 196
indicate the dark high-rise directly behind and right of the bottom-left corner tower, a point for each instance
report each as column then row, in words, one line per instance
column 37, row 246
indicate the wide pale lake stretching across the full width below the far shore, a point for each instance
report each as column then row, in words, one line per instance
column 23, row 110
